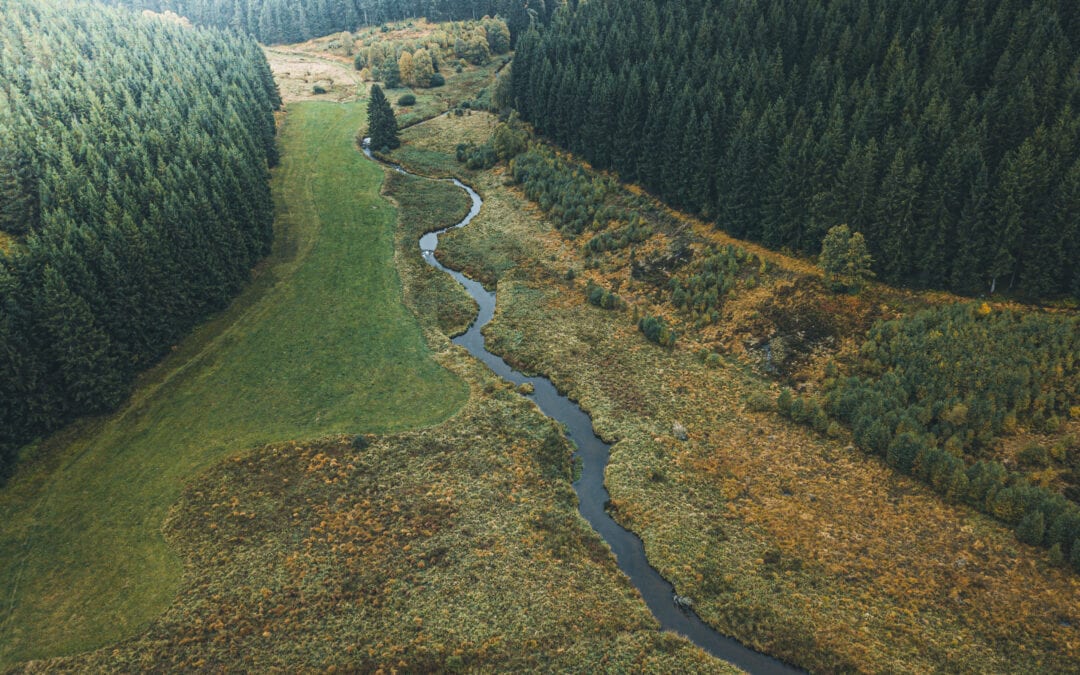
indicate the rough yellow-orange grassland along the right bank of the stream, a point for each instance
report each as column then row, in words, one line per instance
column 794, row 543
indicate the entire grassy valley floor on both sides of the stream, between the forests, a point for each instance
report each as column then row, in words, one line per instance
column 319, row 480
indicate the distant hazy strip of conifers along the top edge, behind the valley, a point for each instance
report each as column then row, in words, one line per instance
column 275, row 22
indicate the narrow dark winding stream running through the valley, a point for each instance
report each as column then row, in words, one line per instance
column 592, row 495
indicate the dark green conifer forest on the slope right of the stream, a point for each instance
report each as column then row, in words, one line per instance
column 946, row 131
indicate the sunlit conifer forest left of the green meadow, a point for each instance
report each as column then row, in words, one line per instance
column 134, row 155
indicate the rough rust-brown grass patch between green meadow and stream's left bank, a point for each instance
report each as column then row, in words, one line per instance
column 435, row 551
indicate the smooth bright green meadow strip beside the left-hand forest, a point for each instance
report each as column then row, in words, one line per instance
column 321, row 344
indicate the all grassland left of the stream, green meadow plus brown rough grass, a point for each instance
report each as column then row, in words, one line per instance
column 454, row 546
